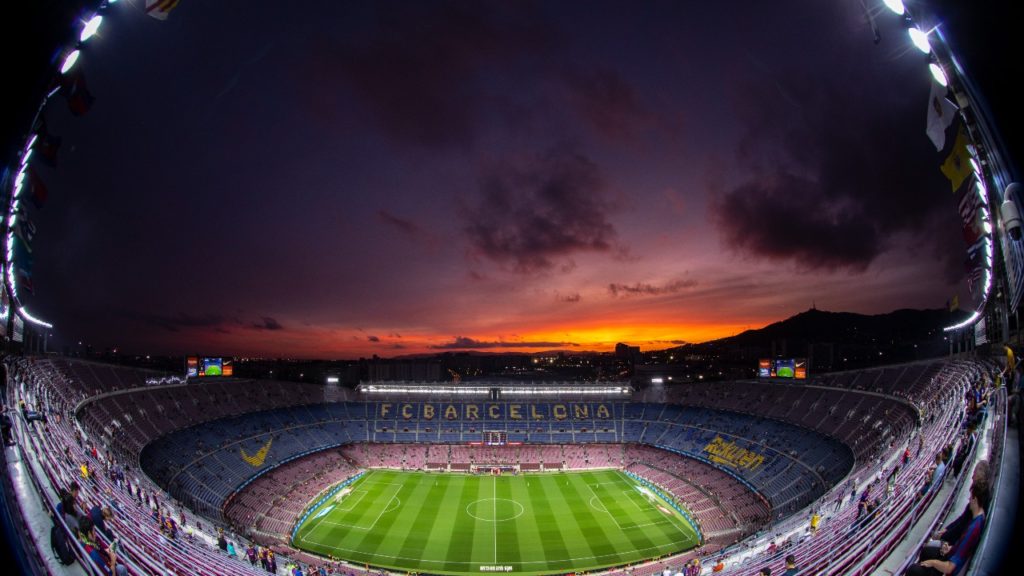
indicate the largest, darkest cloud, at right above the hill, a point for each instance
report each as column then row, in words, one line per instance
column 826, row 188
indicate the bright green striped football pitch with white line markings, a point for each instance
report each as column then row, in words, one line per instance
column 462, row 524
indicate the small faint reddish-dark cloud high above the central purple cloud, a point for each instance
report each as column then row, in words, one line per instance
column 608, row 103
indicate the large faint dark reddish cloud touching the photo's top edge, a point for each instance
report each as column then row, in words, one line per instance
column 421, row 69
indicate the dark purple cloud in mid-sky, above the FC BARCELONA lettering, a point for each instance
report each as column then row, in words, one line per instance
column 530, row 217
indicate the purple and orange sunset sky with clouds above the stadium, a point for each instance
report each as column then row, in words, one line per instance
column 337, row 180
